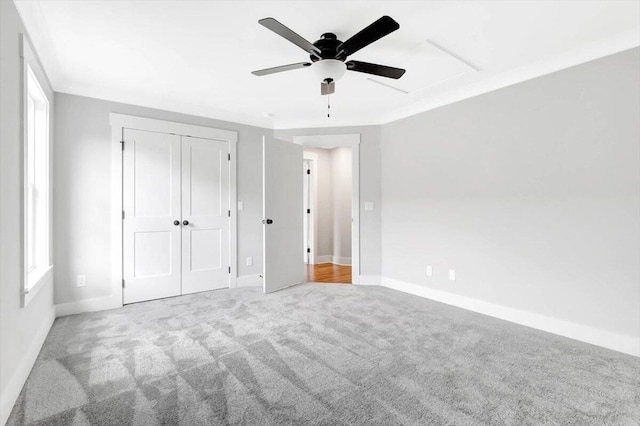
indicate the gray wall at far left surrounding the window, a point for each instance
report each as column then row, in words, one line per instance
column 22, row 330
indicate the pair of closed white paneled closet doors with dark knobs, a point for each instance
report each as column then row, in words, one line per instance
column 176, row 215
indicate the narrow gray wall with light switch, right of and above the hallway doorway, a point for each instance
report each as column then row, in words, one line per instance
column 369, row 187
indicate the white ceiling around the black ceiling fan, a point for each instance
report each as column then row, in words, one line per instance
column 196, row 57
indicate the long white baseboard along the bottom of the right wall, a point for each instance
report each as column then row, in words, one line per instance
column 607, row 339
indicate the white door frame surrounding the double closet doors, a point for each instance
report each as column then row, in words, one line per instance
column 118, row 123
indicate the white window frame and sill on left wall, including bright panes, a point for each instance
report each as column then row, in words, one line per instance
column 36, row 182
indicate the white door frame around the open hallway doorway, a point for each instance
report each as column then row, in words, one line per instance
column 352, row 141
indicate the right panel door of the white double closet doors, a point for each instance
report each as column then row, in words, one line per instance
column 205, row 211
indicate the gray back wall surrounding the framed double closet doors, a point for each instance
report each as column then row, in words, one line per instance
column 82, row 204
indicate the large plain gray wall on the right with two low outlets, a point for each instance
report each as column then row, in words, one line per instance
column 532, row 193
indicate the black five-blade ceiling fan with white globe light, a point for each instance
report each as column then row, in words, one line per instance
column 328, row 55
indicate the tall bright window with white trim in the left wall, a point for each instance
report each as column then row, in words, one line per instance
column 37, row 263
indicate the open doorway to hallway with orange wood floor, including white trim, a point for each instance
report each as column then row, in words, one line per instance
column 331, row 207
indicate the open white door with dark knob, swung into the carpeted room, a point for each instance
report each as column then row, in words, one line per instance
column 281, row 204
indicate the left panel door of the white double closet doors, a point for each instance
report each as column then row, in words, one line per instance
column 151, row 200
